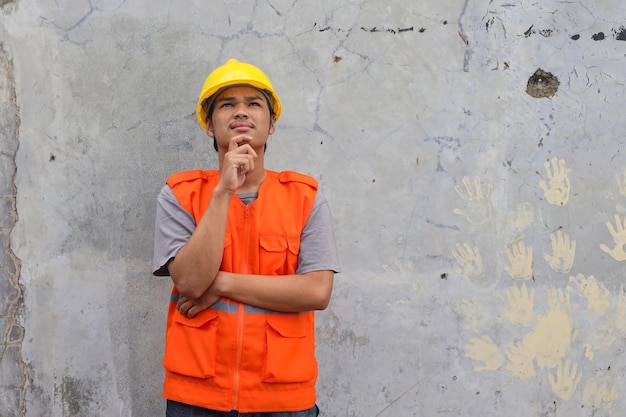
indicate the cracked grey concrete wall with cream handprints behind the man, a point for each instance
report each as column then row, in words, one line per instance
column 472, row 153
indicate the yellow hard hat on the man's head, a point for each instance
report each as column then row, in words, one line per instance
column 232, row 73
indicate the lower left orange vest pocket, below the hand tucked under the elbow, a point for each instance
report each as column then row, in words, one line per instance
column 190, row 348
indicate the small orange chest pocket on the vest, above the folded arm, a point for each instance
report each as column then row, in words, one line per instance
column 279, row 254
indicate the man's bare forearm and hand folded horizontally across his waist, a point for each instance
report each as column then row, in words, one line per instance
column 288, row 293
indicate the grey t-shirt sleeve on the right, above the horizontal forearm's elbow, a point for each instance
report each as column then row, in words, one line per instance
column 318, row 249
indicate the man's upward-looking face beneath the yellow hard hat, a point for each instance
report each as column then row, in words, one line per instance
column 243, row 112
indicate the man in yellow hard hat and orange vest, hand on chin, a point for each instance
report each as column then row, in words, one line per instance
column 252, row 255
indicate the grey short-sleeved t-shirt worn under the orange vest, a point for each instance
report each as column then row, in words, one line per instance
column 174, row 226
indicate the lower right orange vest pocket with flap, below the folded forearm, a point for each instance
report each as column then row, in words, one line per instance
column 290, row 348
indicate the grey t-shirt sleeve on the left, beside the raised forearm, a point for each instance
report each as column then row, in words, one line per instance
column 173, row 228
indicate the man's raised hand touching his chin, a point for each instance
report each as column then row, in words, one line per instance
column 238, row 163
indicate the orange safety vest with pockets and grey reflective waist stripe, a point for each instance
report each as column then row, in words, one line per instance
column 240, row 357
